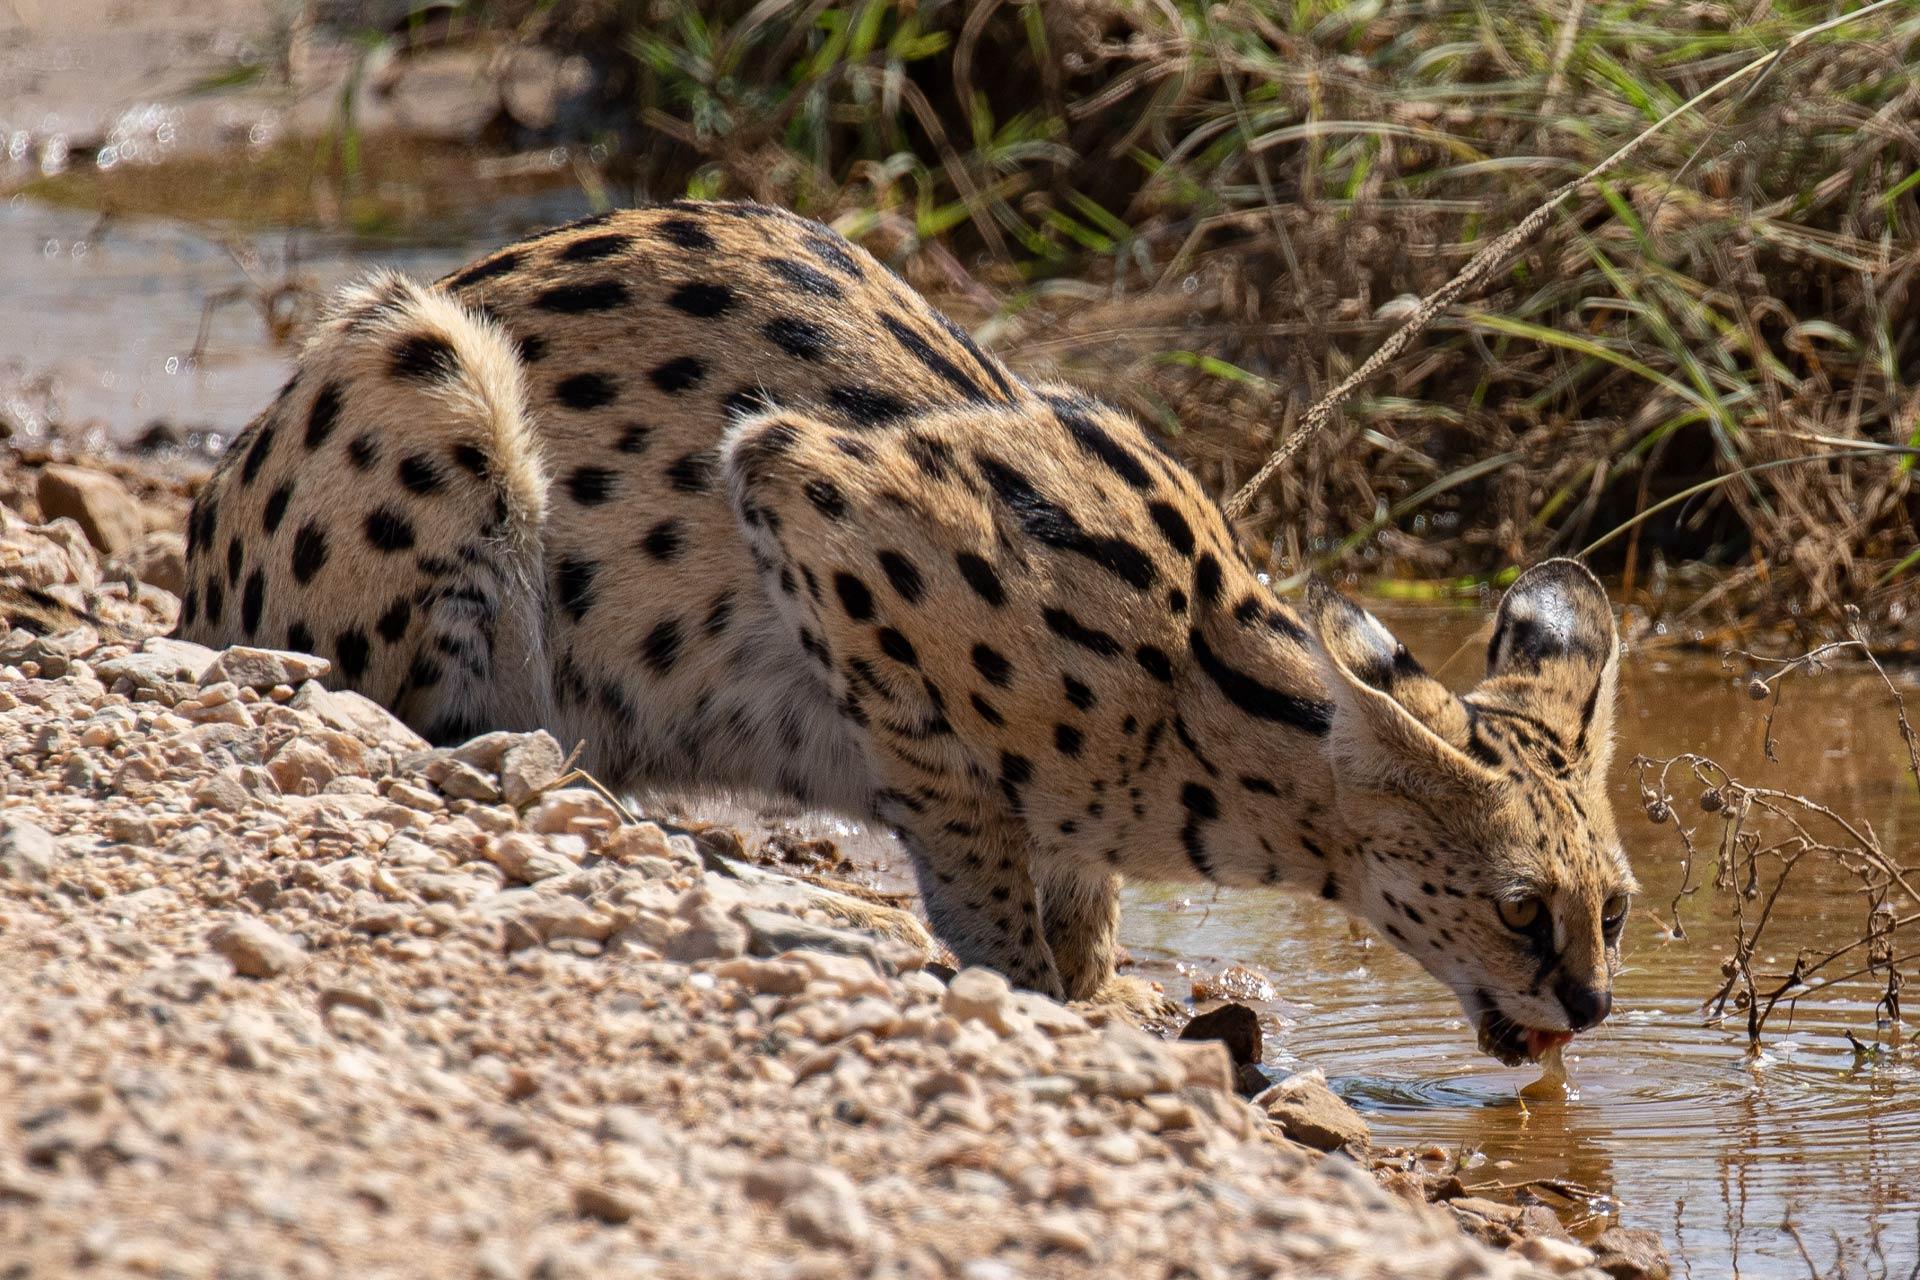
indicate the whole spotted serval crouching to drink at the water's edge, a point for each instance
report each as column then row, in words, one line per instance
column 713, row 490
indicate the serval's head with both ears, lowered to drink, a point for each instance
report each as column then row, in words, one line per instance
column 1483, row 836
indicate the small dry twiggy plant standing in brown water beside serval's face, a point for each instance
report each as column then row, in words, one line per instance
column 1756, row 845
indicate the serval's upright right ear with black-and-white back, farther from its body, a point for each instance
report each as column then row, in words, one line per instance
column 1556, row 657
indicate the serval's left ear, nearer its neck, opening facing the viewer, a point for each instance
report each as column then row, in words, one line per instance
column 1395, row 726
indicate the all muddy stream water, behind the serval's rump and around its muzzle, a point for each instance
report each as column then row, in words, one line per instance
column 1677, row 1127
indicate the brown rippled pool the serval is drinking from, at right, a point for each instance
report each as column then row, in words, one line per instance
column 1675, row 1122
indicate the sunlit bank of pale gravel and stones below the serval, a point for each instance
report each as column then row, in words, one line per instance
column 293, row 995
